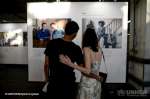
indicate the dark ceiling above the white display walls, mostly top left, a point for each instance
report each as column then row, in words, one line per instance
column 14, row 11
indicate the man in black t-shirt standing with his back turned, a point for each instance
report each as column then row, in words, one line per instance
column 61, row 77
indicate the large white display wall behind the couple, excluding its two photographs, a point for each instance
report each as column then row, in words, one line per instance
column 115, row 58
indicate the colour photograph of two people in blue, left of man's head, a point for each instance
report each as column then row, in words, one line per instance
column 46, row 30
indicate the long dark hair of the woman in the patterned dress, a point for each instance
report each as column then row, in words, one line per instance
column 90, row 39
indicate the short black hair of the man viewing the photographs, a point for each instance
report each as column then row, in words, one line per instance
column 71, row 28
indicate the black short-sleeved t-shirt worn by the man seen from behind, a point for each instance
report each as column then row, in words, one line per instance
column 60, row 72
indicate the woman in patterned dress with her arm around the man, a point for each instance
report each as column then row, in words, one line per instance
column 89, row 88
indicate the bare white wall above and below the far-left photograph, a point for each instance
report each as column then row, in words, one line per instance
column 13, row 55
